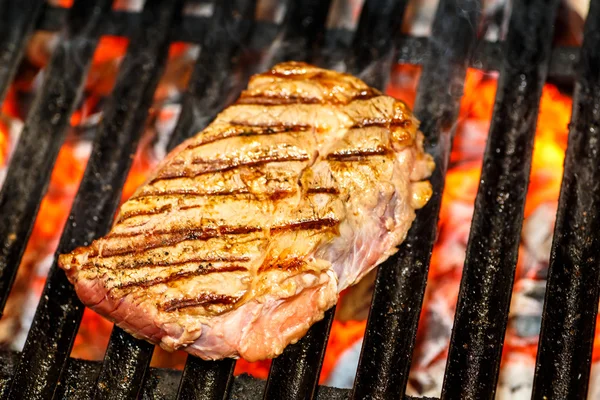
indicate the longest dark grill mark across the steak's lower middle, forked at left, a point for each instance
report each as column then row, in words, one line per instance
column 174, row 236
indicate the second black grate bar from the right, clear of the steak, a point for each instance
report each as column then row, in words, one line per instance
column 486, row 285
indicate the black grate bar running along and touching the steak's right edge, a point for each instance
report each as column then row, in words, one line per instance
column 400, row 284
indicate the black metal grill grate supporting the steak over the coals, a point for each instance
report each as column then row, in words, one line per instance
column 230, row 40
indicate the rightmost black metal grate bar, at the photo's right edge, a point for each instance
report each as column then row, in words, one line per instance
column 571, row 304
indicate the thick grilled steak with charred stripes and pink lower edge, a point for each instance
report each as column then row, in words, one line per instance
column 247, row 232
